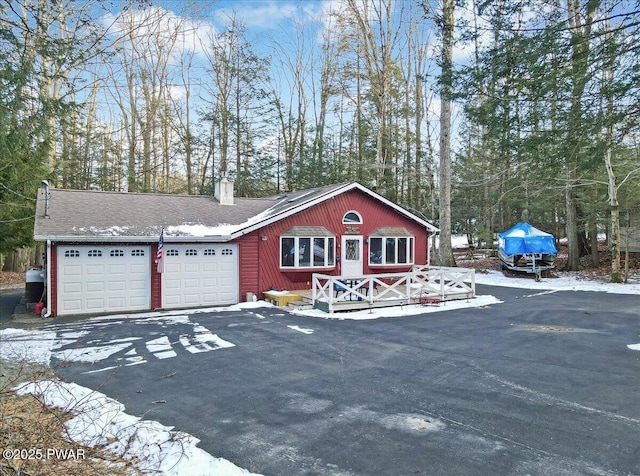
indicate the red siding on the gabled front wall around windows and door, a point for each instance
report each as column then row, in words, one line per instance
column 260, row 269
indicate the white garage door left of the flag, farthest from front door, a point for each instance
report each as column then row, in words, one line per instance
column 103, row 279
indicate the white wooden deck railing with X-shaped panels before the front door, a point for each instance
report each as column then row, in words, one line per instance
column 422, row 281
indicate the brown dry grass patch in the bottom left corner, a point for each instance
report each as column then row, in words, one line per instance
column 27, row 424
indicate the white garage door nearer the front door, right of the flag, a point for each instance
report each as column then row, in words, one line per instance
column 199, row 275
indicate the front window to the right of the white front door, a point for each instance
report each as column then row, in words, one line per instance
column 391, row 247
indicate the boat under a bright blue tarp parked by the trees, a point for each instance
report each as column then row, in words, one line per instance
column 525, row 248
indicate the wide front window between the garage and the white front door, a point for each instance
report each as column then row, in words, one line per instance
column 307, row 247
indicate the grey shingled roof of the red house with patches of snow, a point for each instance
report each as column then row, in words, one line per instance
column 79, row 215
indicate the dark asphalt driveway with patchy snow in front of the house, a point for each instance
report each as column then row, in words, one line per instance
column 541, row 384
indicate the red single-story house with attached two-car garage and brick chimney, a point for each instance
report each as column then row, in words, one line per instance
column 102, row 247
